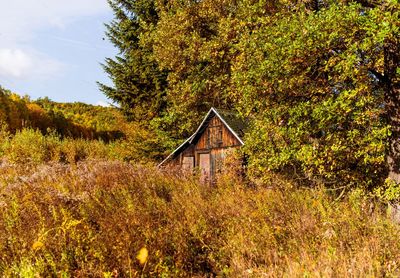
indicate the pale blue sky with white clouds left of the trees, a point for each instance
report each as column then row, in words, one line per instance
column 54, row 48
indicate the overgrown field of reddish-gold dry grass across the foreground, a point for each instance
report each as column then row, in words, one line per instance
column 92, row 219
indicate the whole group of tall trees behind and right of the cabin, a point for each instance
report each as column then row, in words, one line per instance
column 319, row 80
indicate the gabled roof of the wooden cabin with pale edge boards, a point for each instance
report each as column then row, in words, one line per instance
column 230, row 120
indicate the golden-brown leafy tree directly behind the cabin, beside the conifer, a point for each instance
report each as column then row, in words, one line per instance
column 195, row 41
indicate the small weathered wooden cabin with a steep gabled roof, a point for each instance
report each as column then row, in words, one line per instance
column 219, row 132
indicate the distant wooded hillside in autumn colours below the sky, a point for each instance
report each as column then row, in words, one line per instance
column 74, row 120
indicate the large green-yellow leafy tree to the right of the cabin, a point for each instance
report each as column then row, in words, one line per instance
column 317, row 83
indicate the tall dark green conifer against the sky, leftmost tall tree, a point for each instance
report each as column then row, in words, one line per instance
column 138, row 84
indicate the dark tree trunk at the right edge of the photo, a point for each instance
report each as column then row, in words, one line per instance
column 392, row 90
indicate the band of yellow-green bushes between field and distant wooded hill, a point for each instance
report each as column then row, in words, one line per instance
column 29, row 146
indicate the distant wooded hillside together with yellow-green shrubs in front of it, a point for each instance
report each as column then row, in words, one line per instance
column 40, row 131
